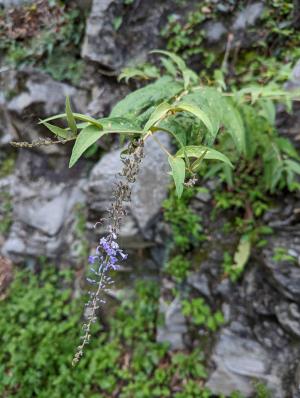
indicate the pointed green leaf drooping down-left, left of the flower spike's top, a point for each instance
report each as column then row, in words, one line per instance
column 87, row 137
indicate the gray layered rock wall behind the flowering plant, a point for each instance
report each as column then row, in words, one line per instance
column 49, row 211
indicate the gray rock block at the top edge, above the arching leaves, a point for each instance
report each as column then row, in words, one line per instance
column 140, row 26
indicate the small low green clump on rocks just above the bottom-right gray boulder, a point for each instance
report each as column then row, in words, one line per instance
column 201, row 314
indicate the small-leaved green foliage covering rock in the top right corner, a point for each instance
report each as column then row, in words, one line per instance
column 260, row 61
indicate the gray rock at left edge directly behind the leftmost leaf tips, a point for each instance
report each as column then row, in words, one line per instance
column 35, row 95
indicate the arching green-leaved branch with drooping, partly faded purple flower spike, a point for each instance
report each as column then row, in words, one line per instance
column 194, row 115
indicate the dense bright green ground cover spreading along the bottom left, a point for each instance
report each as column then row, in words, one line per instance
column 38, row 328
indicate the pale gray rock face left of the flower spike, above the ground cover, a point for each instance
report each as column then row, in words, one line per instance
column 42, row 212
